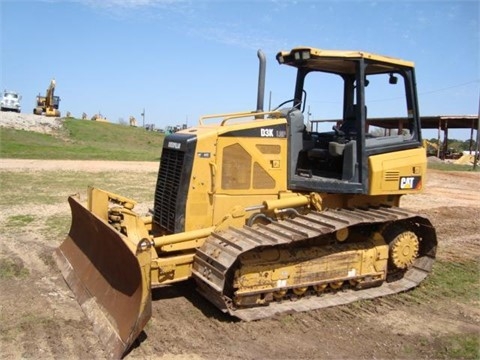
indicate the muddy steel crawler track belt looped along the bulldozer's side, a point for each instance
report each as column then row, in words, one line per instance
column 221, row 250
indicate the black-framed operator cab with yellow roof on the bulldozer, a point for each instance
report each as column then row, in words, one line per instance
column 329, row 153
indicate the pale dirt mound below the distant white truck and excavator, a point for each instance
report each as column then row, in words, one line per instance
column 30, row 122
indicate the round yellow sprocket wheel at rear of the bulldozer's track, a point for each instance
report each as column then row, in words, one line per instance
column 404, row 249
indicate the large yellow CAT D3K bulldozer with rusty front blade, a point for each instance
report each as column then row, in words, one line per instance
column 262, row 213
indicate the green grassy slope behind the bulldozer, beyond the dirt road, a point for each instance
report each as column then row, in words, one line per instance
column 83, row 140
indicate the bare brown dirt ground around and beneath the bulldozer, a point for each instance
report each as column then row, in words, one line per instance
column 39, row 318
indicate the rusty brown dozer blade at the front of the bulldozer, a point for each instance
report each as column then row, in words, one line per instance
column 109, row 276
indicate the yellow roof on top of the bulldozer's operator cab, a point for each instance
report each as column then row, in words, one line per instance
column 336, row 61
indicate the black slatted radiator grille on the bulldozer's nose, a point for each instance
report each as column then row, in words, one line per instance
column 167, row 190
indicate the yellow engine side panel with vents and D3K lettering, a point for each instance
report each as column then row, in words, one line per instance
column 250, row 170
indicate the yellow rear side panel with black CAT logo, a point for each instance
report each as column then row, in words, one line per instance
column 401, row 172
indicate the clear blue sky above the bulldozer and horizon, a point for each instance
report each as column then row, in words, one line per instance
column 179, row 60
